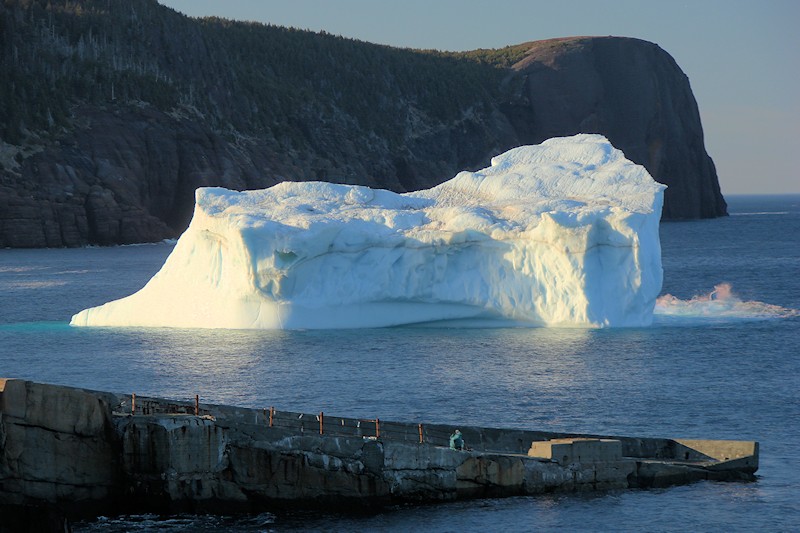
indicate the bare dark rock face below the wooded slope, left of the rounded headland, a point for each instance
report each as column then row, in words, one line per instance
column 128, row 175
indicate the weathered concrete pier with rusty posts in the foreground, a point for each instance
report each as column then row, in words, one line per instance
column 69, row 453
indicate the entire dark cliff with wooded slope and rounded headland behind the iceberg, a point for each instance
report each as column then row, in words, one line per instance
column 113, row 112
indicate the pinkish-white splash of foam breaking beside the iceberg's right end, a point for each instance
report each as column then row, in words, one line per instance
column 721, row 303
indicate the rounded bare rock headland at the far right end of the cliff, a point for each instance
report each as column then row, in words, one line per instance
column 635, row 94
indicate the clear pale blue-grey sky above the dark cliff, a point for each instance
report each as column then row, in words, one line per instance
column 742, row 57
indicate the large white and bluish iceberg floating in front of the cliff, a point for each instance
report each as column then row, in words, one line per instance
column 560, row 234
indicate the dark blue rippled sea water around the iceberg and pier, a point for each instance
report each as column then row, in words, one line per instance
column 721, row 361
